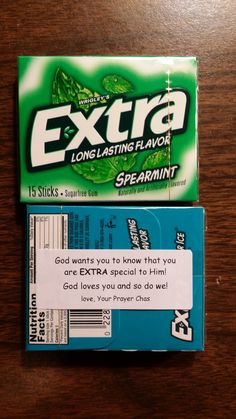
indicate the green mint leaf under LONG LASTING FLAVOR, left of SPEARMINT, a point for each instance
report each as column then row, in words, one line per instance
column 104, row 170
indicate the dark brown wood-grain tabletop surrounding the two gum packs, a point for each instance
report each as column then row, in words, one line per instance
column 125, row 385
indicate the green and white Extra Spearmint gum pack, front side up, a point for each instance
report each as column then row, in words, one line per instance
column 108, row 129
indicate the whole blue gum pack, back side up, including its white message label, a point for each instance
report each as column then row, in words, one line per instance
column 115, row 278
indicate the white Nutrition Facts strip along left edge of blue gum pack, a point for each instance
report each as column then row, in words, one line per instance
column 47, row 231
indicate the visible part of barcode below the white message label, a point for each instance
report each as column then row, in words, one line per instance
column 90, row 323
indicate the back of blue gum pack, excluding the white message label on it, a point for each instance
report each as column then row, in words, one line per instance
column 93, row 227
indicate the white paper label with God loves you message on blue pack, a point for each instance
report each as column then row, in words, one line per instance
column 114, row 279
